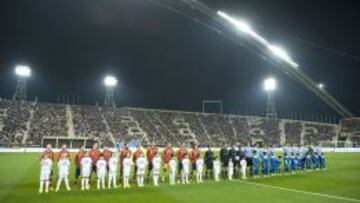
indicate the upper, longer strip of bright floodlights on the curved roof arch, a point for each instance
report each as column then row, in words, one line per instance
column 243, row 27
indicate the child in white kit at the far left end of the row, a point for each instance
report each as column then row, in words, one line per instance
column 45, row 171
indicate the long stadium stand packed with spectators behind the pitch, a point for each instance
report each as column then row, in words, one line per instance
column 28, row 123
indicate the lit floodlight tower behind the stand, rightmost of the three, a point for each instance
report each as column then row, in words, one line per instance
column 270, row 87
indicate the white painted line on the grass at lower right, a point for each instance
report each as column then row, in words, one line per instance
column 303, row 192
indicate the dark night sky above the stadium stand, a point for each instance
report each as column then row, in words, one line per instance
column 164, row 60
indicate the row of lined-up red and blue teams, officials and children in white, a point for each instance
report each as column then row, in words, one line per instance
column 180, row 165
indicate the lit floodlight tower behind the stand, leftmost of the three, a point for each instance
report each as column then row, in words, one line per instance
column 22, row 72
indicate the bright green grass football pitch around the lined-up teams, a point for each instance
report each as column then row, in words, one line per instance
column 19, row 174
